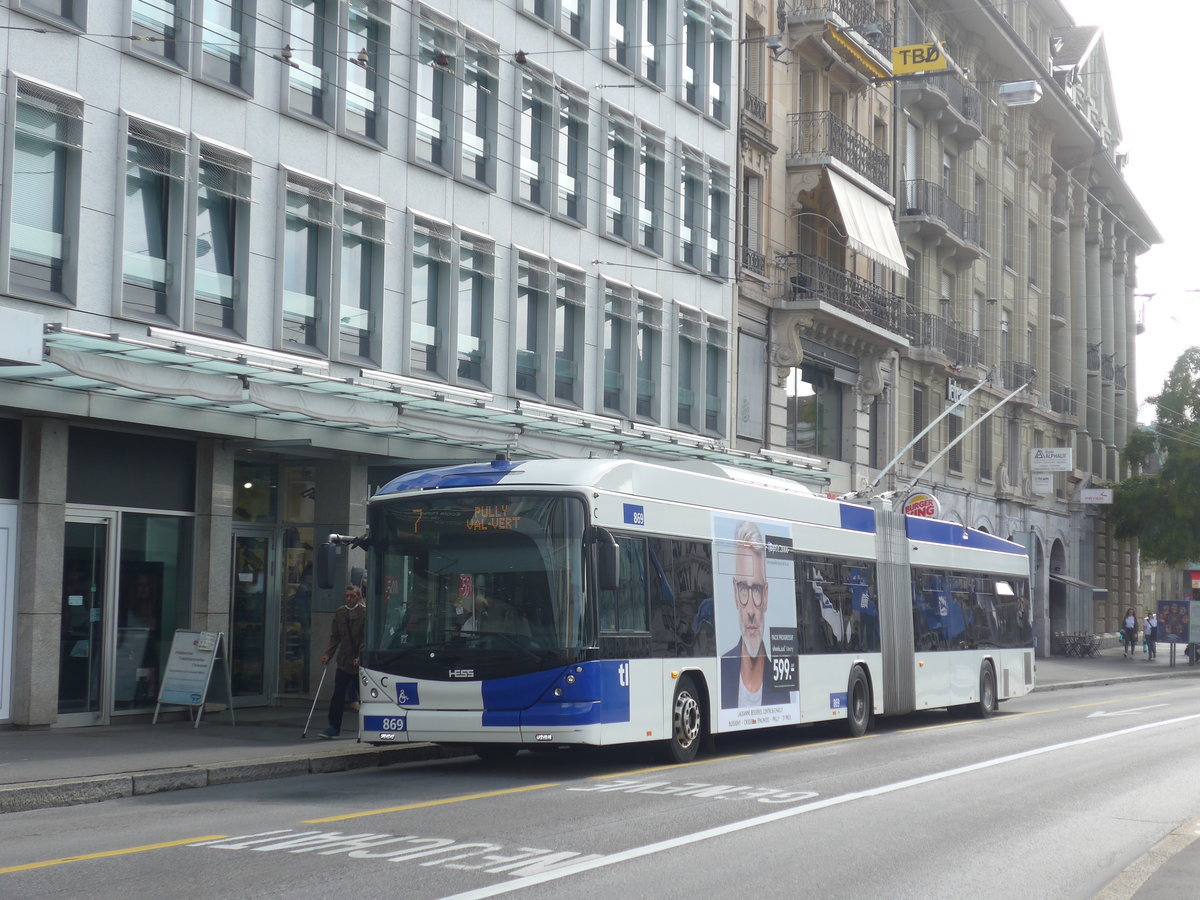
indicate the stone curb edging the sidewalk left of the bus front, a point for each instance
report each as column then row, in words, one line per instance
column 31, row 796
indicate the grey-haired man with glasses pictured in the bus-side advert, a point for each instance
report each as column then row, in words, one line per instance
column 747, row 674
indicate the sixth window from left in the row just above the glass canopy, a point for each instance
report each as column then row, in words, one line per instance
column 428, row 297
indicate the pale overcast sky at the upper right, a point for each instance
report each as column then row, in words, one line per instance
column 1153, row 49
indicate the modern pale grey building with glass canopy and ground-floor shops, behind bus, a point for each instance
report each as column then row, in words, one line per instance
column 257, row 259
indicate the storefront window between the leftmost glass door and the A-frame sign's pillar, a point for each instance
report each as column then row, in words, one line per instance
column 153, row 601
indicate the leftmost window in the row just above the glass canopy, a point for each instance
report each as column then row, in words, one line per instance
column 44, row 200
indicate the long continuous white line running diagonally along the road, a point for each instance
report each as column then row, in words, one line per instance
column 781, row 815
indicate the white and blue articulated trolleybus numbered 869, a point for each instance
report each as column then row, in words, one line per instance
column 584, row 602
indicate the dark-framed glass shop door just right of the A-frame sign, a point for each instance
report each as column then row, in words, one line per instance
column 255, row 617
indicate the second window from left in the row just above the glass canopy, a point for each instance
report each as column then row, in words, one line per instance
column 153, row 221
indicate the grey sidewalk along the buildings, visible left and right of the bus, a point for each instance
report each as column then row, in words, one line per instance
column 61, row 767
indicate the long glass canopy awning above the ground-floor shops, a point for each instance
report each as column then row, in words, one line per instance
column 193, row 374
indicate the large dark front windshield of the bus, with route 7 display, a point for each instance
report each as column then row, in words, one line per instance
column 479, row 578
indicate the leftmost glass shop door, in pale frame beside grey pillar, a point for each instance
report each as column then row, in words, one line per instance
column 87, row 610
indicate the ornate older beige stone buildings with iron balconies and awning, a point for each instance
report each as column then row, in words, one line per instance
column 939, row 273
